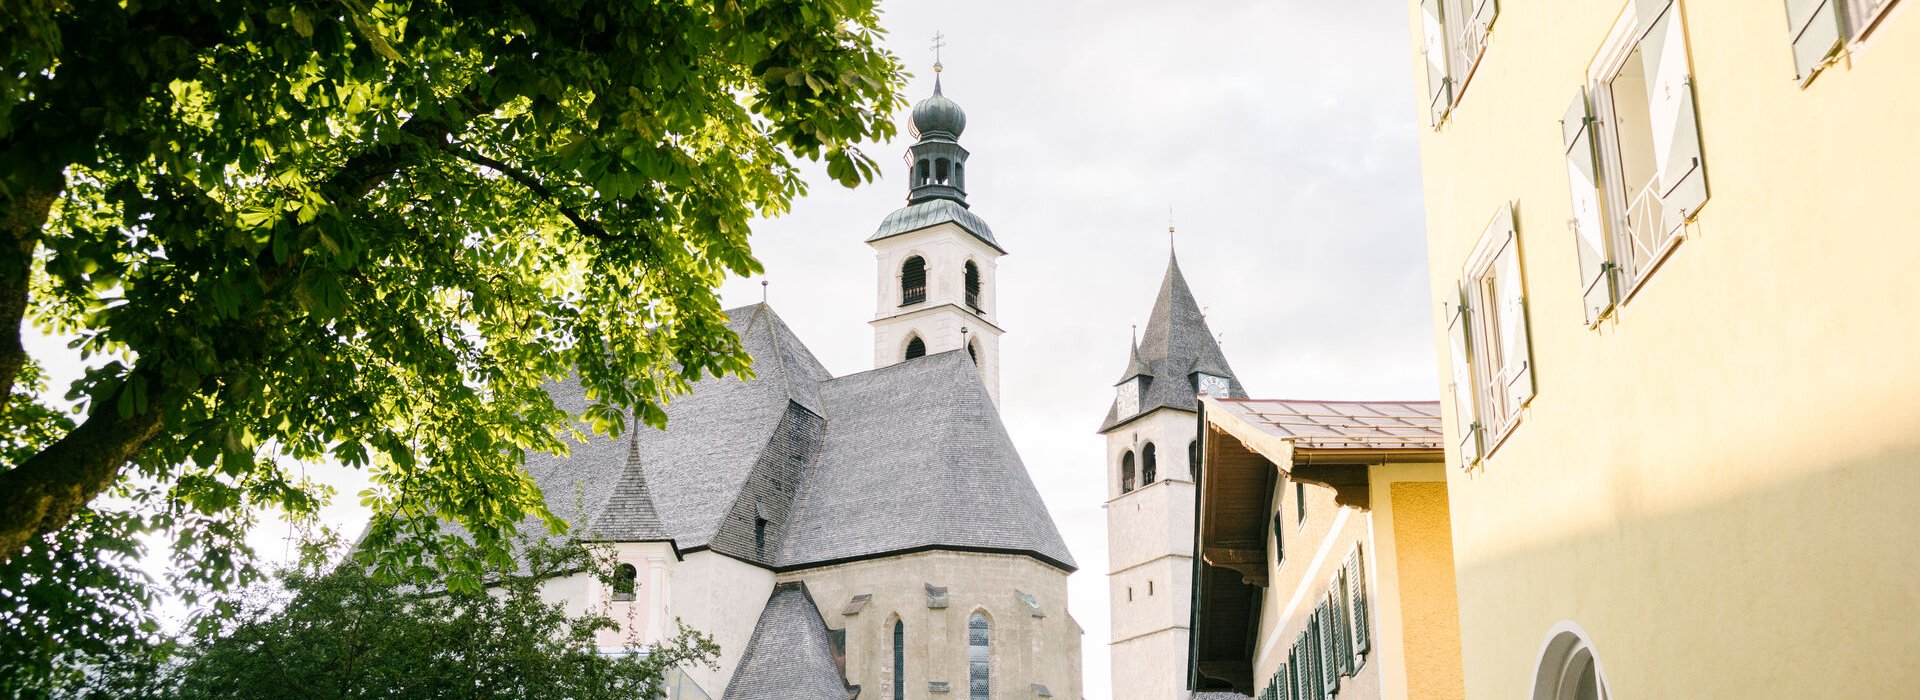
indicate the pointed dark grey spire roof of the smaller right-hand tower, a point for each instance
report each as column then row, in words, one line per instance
column 1174, row 348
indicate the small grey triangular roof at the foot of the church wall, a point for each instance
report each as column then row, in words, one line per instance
column 790, row 655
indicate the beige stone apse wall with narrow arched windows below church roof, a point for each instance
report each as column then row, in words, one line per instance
column 1024, row 649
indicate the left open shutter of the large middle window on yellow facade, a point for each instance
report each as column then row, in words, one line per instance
column 1589, row 233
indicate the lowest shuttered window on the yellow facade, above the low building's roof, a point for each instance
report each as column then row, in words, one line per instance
column 1493, row 354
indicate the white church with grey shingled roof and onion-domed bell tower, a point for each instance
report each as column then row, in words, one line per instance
column 867, row 536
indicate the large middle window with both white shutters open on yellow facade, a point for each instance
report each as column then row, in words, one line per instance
column 1635, row 164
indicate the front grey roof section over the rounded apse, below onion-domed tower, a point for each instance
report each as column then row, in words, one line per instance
column 915, row 459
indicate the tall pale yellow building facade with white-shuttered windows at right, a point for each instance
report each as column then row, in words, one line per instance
column 1673, row 256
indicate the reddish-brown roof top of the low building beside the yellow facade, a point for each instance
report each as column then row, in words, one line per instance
column 1341, row 425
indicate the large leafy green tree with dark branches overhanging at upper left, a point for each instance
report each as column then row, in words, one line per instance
column 372, row 231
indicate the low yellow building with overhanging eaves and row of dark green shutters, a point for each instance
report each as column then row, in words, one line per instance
column 1326, row 553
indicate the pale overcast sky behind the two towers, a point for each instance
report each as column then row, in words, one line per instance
column 1282, row 135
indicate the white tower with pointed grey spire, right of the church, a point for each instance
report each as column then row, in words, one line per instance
column 1151, row 448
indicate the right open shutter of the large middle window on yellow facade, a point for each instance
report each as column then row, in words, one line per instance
column 1683, row 179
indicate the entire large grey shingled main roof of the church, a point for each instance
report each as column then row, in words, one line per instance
column 798, row 469
